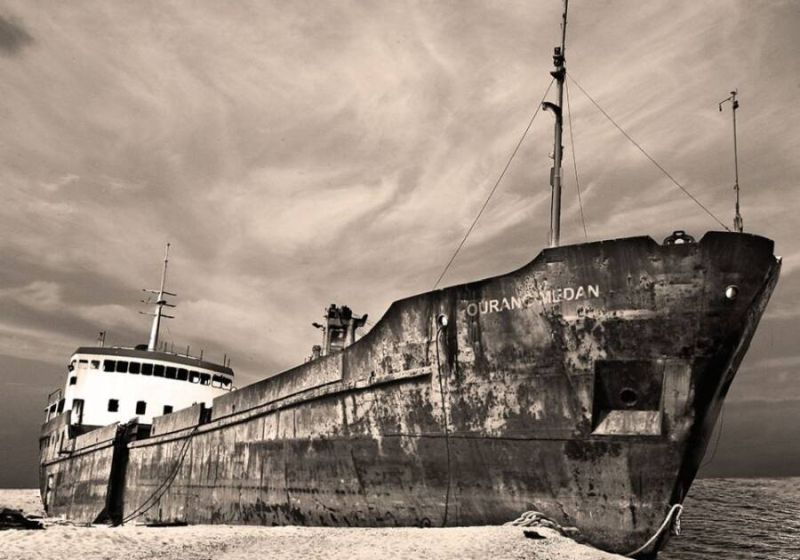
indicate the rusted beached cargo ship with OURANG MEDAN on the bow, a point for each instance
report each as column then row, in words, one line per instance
column 584, row 386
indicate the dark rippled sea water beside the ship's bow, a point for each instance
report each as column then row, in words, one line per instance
column 738, row 519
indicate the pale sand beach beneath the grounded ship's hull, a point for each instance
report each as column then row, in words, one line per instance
column 61, row 541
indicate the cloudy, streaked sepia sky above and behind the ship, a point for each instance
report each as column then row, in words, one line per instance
column 297, row 154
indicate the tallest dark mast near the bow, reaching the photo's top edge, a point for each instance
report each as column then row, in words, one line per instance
column 559, row 74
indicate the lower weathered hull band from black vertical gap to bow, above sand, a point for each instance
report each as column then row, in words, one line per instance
column 613, row 491
